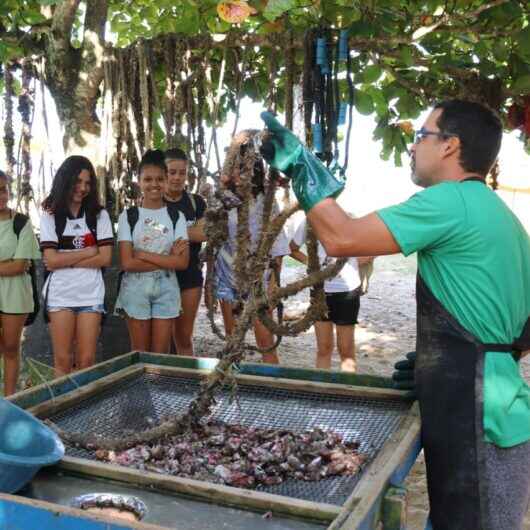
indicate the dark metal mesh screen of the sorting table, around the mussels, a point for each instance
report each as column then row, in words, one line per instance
column 142, row 402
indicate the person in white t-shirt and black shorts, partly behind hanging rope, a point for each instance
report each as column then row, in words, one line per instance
column 343, row 300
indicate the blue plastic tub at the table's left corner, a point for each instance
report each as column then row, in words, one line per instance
column 26, row 444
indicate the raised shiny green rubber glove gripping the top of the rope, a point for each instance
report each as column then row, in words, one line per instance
column 312, row 181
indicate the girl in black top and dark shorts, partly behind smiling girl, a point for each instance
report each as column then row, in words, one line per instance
column 190, row 280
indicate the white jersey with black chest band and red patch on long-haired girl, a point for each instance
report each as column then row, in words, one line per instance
column 75, row 286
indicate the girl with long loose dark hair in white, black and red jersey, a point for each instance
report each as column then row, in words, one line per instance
column 76, row 239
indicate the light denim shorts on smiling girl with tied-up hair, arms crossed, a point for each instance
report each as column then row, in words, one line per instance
column 147, row 295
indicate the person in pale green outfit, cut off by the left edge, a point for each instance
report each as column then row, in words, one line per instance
column 16, row 293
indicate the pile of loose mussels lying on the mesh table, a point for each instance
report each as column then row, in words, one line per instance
column 244, row 457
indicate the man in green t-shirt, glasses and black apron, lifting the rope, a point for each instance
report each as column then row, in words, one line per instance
column 473, row 296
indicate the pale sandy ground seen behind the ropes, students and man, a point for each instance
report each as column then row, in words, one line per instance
column 385, row 332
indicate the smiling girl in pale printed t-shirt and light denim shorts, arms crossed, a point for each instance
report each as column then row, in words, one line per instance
column 153, row 245
